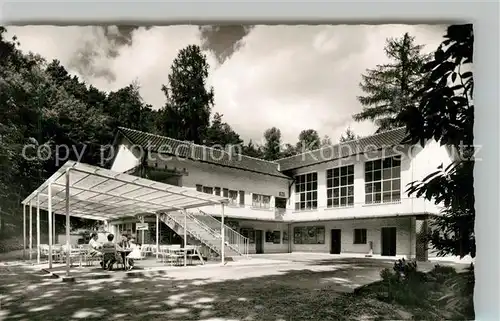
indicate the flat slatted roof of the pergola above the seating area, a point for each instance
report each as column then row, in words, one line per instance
column 102, row 194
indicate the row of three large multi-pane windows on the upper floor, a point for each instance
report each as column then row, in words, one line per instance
column 382, row 184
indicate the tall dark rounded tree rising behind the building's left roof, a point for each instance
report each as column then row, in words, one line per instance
column 186, row 114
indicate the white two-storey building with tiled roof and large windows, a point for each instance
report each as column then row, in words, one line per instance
column 347, row 198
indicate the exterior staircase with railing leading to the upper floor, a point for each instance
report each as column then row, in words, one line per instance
column 203, row 229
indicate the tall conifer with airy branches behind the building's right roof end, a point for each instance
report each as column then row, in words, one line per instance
column 392, row 87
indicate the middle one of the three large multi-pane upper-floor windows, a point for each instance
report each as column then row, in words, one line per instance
column 340, row 186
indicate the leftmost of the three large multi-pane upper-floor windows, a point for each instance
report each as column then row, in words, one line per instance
column 306, row 191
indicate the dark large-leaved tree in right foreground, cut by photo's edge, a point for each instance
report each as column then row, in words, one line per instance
column 446, row 114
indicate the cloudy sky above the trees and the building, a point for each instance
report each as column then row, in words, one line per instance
column 291, row 77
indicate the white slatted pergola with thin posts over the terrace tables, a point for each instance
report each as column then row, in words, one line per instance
column 96, row 193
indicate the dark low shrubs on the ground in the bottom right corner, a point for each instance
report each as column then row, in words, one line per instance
column 442, row 293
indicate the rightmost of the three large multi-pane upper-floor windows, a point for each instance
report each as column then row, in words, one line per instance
column 383, row 180
